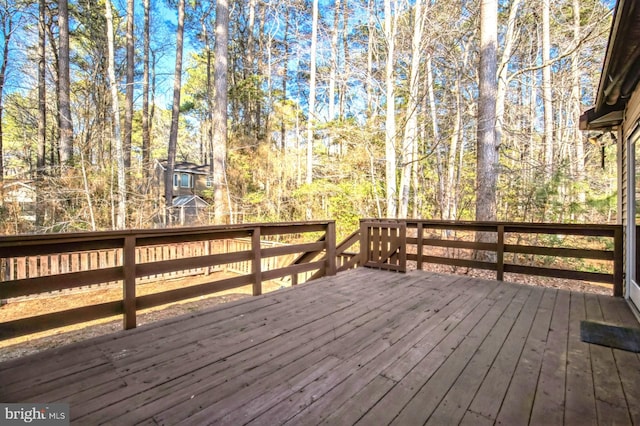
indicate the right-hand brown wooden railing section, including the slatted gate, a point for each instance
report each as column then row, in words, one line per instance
column 505, row 249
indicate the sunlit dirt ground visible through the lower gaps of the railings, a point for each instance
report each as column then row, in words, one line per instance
column 25, row 345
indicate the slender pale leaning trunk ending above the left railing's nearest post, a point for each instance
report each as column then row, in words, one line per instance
column 115, row 116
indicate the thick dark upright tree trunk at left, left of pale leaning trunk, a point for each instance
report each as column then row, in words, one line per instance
column 64, row 108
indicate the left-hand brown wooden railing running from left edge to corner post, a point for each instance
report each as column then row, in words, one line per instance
column 128, row 245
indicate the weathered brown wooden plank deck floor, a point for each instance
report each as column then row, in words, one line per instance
column 365, row 346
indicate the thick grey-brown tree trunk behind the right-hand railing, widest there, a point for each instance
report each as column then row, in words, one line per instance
column 487, row 155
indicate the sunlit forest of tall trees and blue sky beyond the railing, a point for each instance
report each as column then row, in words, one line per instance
column 304, row 109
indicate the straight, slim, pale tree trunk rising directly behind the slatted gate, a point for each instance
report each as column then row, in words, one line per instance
column 390, row 120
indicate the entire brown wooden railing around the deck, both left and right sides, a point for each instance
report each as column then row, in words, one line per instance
column 56, row 262
